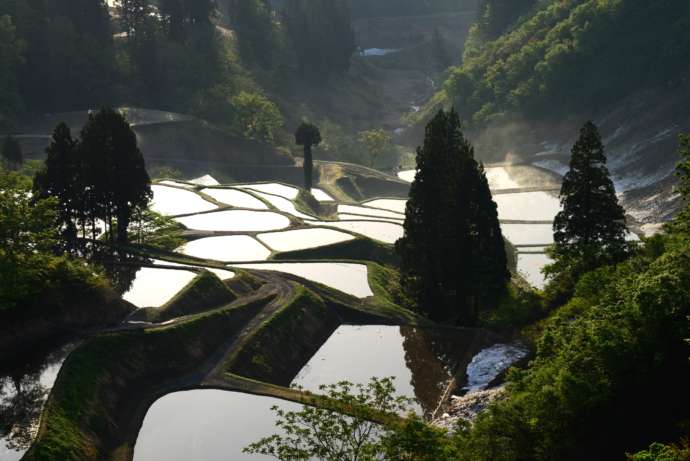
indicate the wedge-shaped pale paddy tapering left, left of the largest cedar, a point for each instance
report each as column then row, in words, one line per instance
column 348, row 278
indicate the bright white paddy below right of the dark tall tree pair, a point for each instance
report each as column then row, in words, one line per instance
column 155, row 287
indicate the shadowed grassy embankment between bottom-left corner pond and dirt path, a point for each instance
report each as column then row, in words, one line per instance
column 90, row 407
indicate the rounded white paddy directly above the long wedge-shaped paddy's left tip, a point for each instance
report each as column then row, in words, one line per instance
column 236, row 248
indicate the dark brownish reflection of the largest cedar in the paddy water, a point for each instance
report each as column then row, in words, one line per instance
column 434, row 357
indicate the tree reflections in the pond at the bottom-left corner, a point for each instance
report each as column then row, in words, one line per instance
column 22, row 395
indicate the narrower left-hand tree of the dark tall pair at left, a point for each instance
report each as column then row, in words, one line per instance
column 60, row 178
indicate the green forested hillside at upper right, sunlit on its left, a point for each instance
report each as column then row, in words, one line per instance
column 529, row 68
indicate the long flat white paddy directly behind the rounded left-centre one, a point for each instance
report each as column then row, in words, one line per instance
column 236, row 221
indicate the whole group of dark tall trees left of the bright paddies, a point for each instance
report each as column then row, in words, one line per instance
column 98, row 178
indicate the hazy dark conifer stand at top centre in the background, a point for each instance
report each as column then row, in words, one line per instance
column 322, row 35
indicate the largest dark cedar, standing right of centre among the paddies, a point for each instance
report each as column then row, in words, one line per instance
column 453, row 255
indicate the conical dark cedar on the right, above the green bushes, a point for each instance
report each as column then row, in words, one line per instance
column 591, row 229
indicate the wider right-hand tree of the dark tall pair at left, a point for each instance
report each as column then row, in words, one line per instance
column 121, row 184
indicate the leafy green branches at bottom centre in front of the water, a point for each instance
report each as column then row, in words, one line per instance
column 315, row 433
